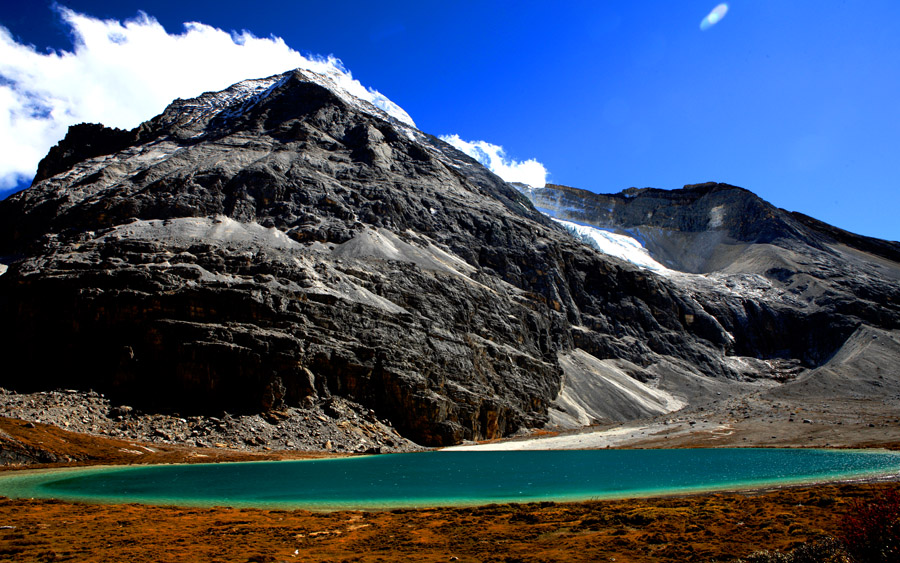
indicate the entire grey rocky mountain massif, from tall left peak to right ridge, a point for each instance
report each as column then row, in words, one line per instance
column 283, row 243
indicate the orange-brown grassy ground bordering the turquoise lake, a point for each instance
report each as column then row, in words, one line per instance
column 698, row 527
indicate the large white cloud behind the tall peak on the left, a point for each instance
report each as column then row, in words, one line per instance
column 123, row 73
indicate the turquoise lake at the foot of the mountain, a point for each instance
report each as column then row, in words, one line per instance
column 449, row 478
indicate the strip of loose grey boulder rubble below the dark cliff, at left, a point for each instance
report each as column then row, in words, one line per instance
column 335, row 425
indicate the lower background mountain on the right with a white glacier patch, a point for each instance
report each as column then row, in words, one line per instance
column 790, row 290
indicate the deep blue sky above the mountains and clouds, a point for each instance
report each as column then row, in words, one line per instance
column 798, row 101
